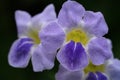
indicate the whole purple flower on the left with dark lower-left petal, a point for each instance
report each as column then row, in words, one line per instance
column 37, row 40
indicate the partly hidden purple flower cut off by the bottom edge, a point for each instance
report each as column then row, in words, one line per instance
column 111, row 71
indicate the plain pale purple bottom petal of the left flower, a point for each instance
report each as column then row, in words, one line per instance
column 42, row 59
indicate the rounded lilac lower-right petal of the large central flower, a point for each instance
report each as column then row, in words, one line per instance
column 99, row 50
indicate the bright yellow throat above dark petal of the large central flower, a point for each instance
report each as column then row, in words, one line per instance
column 77, row 35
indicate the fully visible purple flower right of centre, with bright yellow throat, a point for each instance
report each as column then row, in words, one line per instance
column 84, row 39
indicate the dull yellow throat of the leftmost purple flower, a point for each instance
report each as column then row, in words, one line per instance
column 34, row 35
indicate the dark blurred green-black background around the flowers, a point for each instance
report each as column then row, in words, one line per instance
column 8, row 32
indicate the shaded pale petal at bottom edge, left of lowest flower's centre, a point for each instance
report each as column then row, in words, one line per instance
column 64, row 74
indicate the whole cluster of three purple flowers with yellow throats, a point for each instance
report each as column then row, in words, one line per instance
column 75, row 38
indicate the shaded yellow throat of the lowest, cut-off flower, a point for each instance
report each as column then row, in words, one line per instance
column 94, row 68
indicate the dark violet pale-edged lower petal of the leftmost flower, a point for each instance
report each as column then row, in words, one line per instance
column 19, row 54
